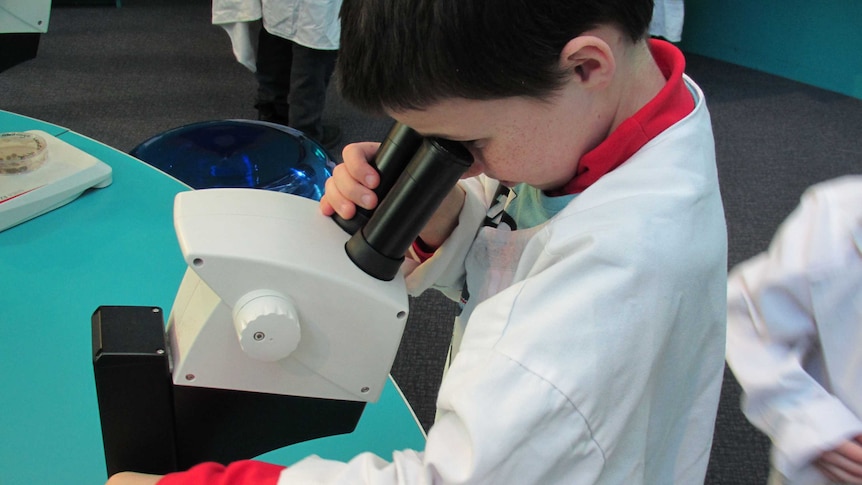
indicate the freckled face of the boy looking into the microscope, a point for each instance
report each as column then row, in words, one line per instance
column 514, row 140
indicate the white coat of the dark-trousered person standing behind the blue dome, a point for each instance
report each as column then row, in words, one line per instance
column 311, row 23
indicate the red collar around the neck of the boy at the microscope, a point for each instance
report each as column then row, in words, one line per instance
column 673, row 103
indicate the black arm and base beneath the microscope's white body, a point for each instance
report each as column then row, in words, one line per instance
column 150, row 425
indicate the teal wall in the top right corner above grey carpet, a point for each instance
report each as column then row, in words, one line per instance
column 814, row 42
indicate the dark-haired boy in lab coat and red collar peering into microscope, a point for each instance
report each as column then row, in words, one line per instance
column 590, row 347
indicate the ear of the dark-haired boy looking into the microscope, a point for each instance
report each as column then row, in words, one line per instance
column 590, row 59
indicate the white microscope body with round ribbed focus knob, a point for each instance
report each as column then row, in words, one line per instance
column 267, row 270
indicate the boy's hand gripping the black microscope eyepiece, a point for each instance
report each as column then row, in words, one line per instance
column 352, row 182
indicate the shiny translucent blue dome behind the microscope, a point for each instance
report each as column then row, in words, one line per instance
column 240, row 153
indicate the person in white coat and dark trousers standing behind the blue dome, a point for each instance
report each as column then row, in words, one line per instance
column 293, row 59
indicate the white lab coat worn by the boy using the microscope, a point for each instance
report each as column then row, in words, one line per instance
column 595, row 352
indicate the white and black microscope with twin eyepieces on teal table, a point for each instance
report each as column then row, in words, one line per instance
column 285, row 325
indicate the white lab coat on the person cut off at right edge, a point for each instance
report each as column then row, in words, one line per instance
column 795, row 330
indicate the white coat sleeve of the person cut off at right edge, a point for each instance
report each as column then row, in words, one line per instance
column 771, row 330
